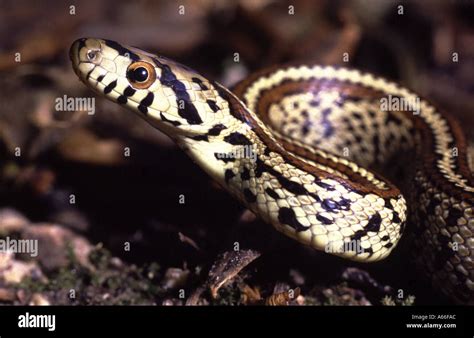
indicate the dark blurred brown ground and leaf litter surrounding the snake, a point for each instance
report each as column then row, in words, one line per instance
column 139, row 229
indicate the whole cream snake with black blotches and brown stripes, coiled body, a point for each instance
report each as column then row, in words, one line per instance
column 301, row 146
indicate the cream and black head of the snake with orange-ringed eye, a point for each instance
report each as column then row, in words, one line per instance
column 172, row 97
